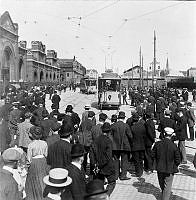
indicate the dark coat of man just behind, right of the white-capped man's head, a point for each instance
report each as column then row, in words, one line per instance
column 181, row 128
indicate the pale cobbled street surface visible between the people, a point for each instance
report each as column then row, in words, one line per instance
column 184, row 184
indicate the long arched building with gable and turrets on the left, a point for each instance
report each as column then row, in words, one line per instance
column 20, row 64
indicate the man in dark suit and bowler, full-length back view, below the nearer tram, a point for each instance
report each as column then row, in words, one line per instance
column 121, row 134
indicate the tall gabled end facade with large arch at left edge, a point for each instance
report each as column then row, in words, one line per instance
column 12, row 57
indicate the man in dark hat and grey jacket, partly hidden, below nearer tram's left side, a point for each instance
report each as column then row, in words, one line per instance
column 96, row 130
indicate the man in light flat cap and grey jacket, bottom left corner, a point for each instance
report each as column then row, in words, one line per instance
column 8, row 185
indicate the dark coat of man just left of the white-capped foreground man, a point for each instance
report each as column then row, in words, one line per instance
column 150, row 132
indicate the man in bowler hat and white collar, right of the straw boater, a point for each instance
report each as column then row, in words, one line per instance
column 78, row 186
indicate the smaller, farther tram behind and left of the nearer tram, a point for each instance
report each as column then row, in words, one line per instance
column 88, row 85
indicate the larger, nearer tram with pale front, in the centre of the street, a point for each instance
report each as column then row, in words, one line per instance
column 109, row 97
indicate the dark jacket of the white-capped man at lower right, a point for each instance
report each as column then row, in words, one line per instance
column 167, row 156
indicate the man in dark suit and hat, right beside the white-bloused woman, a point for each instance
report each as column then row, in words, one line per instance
column 59, row 153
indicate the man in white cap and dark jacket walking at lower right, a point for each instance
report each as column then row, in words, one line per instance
column 167, row 157
